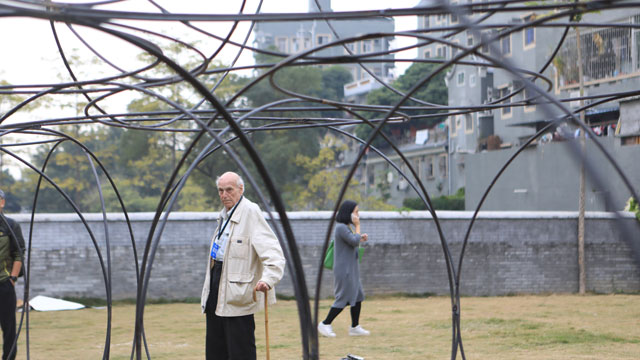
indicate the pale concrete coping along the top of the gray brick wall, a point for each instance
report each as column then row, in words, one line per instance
column 325, row 215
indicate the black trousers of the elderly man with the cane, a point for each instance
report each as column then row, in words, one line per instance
column 228, row 338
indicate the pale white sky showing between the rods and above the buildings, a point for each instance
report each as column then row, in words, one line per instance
column 30, row 56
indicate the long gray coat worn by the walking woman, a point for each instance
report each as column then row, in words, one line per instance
column 347, row 287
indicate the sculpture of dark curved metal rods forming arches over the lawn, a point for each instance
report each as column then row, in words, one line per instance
column 94, row 15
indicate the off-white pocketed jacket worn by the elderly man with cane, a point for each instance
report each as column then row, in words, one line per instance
column 252, row 254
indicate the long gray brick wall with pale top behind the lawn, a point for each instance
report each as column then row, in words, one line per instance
column 508, row 252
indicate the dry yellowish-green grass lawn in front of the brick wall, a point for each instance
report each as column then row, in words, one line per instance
column 515, row 327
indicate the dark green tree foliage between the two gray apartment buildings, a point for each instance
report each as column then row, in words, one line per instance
column 434, row 91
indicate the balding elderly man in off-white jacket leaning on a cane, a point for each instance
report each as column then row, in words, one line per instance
column 245, row 256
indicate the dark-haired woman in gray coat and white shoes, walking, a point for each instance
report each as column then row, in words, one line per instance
column 347, row 287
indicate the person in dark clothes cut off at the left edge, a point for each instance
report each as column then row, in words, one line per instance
column 11, row 258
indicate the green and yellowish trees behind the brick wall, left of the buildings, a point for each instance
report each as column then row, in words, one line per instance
column 141, row 162
